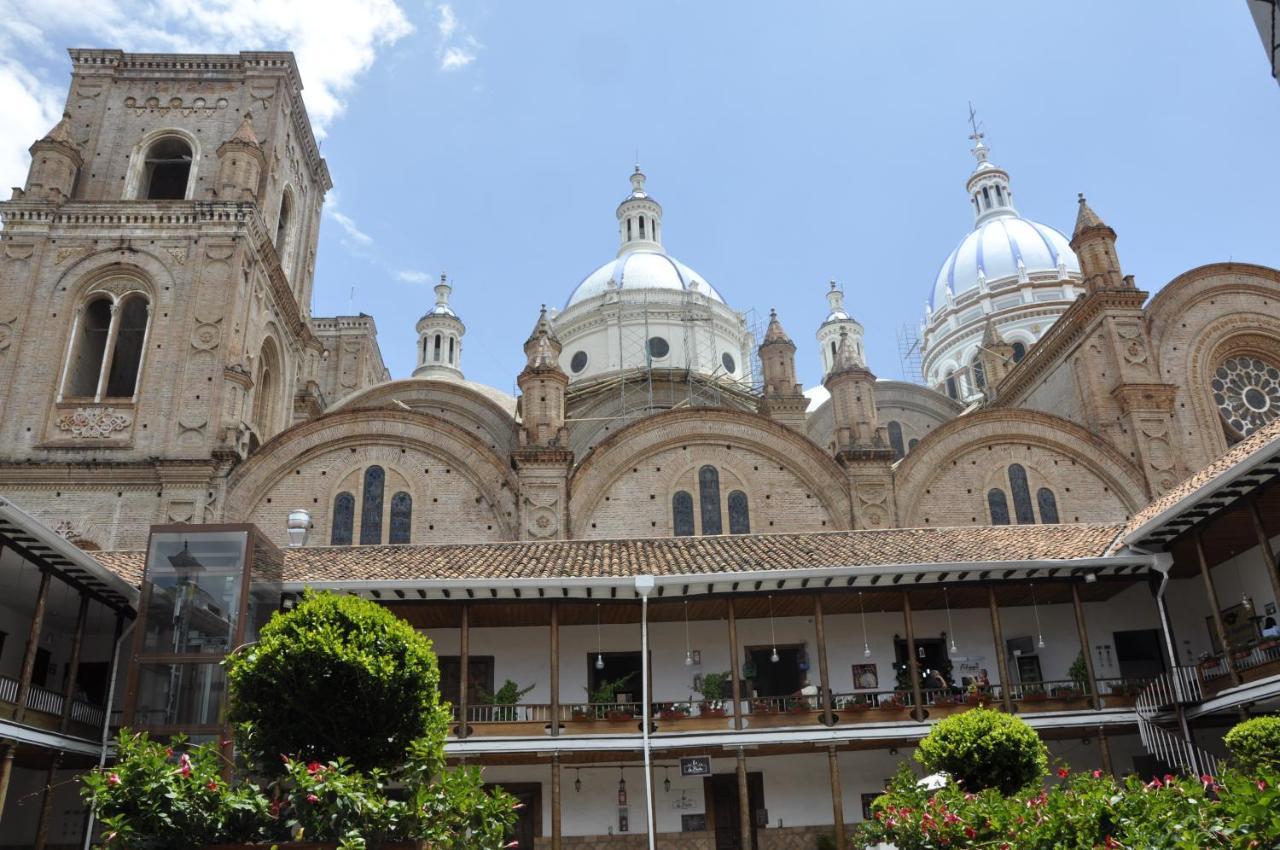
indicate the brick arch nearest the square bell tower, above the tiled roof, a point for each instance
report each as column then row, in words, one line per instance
column 372, row 432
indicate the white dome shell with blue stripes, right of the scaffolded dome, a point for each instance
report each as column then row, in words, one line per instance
column 1004, row 249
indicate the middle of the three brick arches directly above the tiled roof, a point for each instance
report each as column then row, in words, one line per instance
column 716, row 432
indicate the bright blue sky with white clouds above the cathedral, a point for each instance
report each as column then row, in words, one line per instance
column 789, row 144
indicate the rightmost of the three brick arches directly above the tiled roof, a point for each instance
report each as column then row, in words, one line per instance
column 936, row 463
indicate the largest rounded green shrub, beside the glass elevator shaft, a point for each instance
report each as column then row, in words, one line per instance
column 337, row 677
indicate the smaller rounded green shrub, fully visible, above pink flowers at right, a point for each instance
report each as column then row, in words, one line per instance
column 985, row 750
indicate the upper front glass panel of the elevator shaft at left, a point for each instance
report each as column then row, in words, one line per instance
column 195, row 581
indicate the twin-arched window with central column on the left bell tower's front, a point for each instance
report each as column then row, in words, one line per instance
column 107, row 349
